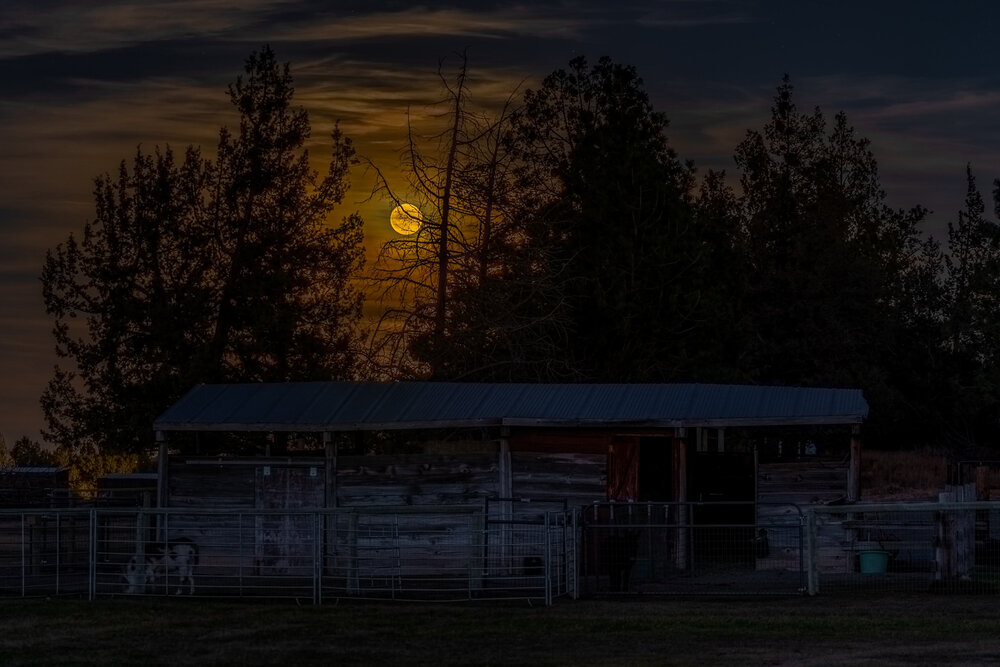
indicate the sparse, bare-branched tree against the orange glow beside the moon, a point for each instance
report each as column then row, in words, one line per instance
column 454, row 281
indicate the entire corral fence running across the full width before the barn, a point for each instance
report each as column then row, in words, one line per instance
column 504, row 548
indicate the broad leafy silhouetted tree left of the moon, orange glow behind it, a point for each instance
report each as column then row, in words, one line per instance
column 203, row 272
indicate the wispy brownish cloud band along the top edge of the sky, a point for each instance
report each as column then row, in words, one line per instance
column 74, row 27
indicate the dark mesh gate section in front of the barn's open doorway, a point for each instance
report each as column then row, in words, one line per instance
column 692, row 548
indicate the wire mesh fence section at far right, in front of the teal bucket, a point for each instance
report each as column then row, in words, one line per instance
column 905, row 547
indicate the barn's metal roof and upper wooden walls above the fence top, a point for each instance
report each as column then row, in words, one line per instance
column 580, row 442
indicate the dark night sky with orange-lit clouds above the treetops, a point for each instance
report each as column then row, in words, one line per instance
column 83, row 83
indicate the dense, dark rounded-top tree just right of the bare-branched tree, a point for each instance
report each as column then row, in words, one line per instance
column 609, row 212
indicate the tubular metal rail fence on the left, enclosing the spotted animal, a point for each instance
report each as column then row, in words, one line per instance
column 402, row 553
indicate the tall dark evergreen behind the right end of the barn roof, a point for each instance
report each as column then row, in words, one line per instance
column 830, row 268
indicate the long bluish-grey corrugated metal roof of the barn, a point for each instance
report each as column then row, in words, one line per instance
column 354, row 406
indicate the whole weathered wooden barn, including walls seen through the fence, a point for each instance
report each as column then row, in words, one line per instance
column 668, row 455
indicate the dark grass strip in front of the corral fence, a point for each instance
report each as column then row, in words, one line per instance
column 924, row 630
